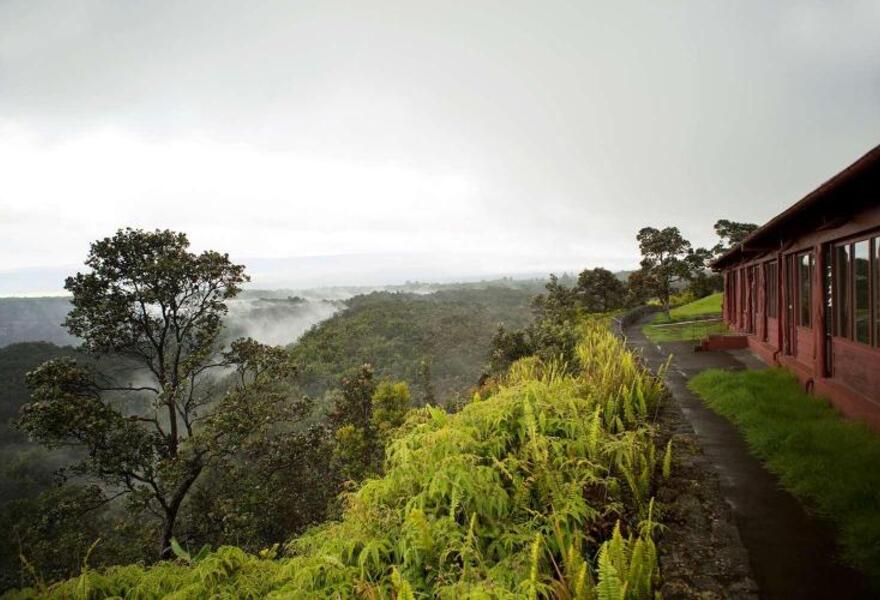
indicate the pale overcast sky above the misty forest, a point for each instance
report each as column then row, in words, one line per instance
column 369, row 142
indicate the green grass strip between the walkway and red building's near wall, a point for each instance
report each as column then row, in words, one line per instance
column 832, row 465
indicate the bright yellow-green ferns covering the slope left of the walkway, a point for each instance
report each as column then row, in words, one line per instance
column 541, row 487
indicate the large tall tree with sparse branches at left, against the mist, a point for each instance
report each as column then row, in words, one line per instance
column 151, row 430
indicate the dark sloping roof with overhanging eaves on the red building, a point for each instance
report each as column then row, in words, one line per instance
column 823, row 206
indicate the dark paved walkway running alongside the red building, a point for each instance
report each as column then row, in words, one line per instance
column 791, row 553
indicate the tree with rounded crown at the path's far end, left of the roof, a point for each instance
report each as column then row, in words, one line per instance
column 667, row 259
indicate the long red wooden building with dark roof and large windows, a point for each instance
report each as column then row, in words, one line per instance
column 805, row 290
